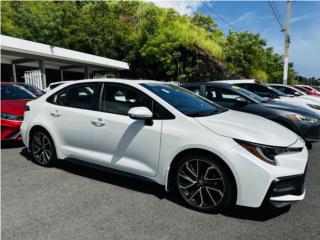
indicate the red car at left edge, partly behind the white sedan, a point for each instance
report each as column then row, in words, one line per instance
column 13, row 100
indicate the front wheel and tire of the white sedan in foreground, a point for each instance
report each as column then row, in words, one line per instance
column 203, row 183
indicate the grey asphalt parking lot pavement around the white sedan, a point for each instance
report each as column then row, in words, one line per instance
column 74, row 202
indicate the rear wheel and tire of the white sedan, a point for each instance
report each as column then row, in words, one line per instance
column 42, row 148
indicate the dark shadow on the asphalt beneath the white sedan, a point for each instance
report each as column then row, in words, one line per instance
column 137, row 184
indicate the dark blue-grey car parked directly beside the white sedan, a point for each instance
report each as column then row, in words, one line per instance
column 303, row 122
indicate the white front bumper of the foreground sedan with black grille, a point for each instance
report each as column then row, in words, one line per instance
column 254, row 178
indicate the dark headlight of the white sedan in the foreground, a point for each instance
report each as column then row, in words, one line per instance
column 264, row 153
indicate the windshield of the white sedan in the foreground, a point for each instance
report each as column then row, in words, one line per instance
column 183, row 100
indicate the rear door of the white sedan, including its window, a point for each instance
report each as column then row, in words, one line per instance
column 70, row 114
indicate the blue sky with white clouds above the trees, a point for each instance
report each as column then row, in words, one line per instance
column 257, row 17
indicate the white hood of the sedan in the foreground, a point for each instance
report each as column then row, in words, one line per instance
column 249, row 127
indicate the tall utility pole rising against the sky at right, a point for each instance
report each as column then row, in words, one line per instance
column 286, row 44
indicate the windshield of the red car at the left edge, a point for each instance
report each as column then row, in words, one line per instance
column 11, row 92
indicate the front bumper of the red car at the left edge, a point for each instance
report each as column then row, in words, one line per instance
column 10, row 130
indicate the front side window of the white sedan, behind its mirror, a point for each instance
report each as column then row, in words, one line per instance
column 119, row 99
